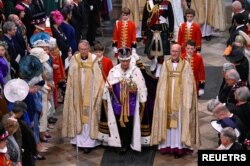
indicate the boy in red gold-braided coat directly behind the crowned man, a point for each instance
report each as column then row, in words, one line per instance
column 124, row 35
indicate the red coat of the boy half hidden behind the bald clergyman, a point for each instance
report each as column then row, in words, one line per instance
column 197, row 65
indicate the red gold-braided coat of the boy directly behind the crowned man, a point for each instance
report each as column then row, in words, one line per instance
column 124, row 34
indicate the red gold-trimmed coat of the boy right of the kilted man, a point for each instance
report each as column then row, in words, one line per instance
column 185, row 34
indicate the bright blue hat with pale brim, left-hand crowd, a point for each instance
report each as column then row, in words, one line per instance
column 40, row 39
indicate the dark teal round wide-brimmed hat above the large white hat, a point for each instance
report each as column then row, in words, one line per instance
column 29, row 67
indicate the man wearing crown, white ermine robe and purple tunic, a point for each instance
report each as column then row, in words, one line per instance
column 125, row 94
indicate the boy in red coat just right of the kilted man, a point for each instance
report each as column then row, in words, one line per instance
column 189, row 30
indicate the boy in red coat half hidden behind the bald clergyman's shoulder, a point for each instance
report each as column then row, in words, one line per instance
column 197, row 65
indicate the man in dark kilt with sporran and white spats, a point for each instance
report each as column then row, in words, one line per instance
column 157, row 31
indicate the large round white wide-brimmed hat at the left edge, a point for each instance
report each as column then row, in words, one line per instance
column 16, row 90
